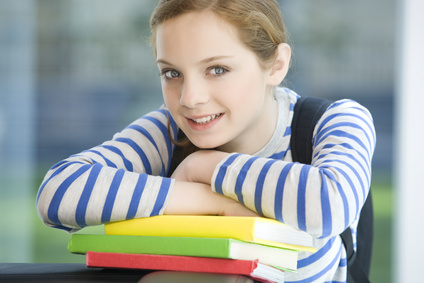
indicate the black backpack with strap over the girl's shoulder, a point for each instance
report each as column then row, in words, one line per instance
column 307, row 112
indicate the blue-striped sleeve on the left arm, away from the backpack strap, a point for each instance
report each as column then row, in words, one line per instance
column 117, row 180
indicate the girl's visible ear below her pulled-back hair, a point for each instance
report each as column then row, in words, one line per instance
column 281, row 65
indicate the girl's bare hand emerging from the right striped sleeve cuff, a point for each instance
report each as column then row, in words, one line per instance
column 199, row 166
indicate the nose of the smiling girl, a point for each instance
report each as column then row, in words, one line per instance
column 193, row 93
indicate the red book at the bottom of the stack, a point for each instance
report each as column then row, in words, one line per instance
column 252, row 268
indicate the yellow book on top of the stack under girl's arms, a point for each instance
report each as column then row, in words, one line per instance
column 250, row 229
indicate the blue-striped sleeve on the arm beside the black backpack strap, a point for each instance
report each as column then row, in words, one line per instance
column 323, row 198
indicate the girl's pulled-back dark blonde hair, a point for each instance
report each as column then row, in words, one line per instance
column 259, row 22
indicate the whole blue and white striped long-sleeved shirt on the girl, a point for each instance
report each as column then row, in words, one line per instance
column 125, row 178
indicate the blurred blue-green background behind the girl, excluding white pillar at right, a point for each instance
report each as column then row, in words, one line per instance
column 74, row 72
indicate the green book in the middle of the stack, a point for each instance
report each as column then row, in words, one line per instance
column 184, row 246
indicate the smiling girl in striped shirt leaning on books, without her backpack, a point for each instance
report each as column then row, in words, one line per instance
column 221, row 63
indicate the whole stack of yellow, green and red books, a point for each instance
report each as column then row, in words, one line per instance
column 257, row 247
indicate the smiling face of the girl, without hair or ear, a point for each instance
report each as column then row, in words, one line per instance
column 213, row 85
